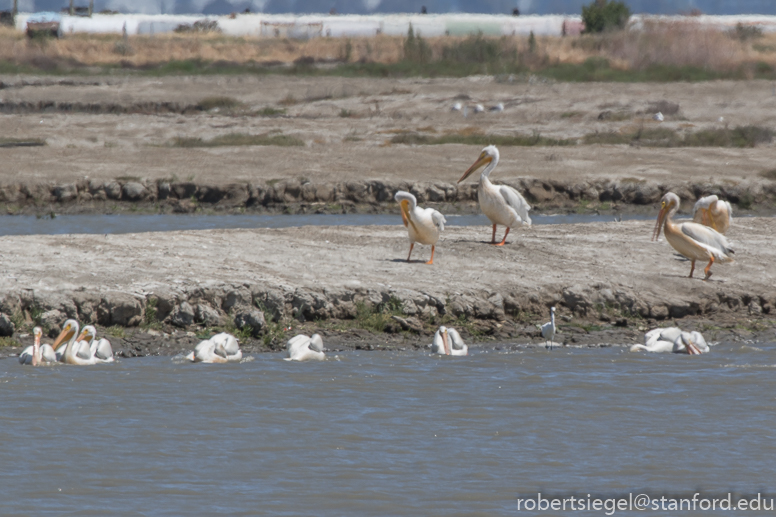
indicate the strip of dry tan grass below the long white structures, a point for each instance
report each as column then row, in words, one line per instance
column 676, row 44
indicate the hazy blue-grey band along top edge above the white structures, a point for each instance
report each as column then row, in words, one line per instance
column 524, row 7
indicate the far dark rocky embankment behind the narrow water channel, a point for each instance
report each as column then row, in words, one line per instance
column 98, row 196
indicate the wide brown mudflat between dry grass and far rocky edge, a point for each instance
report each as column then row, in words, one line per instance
column 340, row 148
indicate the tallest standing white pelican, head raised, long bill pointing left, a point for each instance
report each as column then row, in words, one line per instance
column 502, row 204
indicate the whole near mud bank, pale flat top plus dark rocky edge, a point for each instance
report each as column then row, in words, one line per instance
column 609, row 282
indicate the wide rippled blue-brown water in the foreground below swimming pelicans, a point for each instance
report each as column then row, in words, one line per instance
column 384, row 433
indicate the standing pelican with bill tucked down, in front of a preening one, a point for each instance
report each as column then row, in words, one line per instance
column 693, row 240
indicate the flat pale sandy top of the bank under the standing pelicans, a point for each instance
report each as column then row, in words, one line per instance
column 539, row 261
